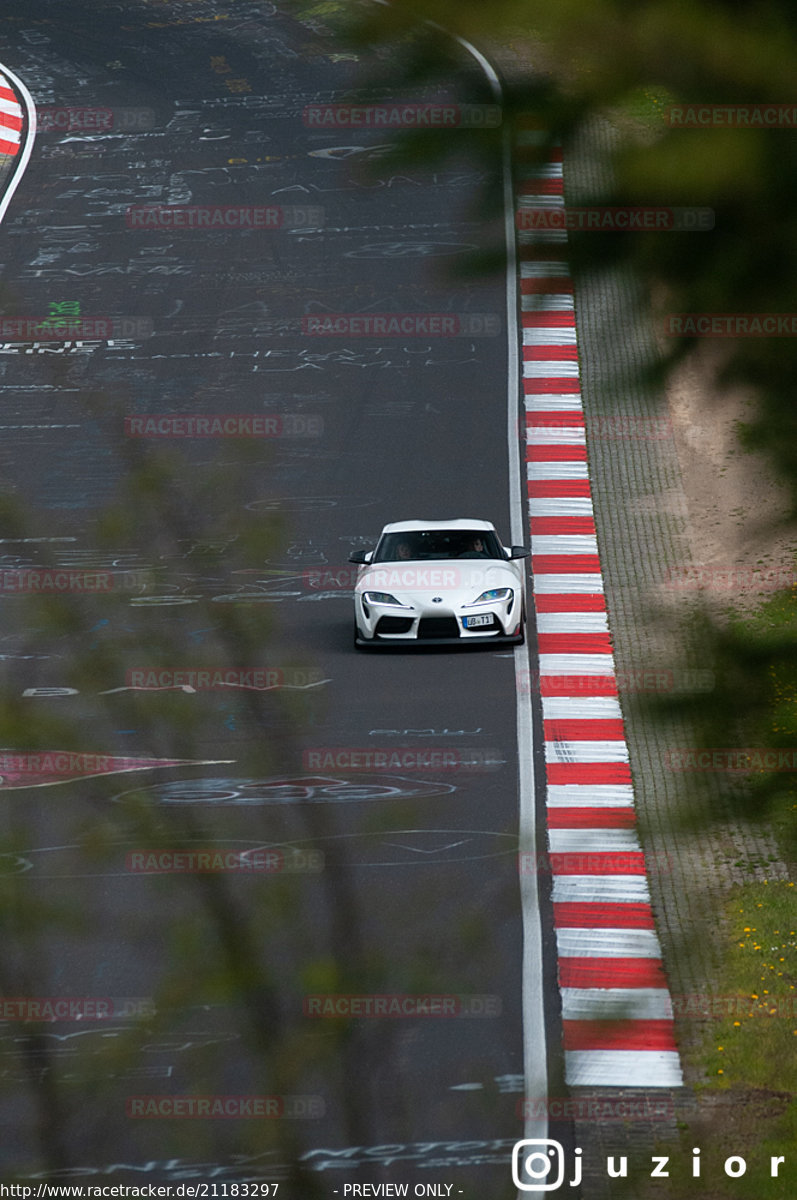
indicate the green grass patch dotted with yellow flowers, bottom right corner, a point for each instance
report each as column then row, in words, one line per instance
column 747, row 1052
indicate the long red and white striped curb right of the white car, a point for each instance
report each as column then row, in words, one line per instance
column 616, row 1007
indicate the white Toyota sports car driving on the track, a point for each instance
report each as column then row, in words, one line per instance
column 448, row 583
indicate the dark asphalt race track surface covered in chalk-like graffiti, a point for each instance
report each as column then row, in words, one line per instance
column 385, row 788
